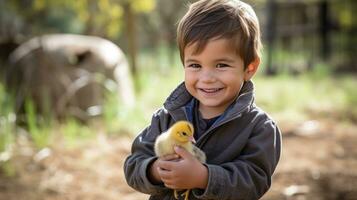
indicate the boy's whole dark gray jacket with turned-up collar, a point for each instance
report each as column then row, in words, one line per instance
column 242, row 148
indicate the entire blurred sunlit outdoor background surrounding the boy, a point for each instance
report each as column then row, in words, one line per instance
column 80, row 79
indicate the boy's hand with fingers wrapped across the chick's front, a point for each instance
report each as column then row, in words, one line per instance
column 186, row 173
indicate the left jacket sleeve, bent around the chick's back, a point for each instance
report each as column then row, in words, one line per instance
column 142, row 155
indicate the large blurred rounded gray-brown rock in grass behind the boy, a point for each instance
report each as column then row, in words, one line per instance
column 68, row 75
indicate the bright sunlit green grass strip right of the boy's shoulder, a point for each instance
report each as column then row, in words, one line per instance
column 297, row 97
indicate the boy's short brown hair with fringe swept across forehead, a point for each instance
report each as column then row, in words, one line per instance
column 230, row 19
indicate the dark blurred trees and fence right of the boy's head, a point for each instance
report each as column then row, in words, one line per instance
column 298, row 34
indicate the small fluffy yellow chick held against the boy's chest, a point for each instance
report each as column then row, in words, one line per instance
column 180, row 134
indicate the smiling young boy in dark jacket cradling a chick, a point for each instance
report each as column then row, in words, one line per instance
column 219, row 42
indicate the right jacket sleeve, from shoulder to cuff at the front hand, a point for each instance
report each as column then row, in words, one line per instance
column 248, row 176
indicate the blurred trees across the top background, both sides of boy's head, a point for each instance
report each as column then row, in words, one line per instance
column 299, row 32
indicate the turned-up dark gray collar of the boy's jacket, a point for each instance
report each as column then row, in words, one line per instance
column 180, row 98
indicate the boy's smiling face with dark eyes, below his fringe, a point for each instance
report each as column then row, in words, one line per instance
column 214, row 76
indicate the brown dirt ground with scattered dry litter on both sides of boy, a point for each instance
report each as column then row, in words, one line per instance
column 319, row 161
